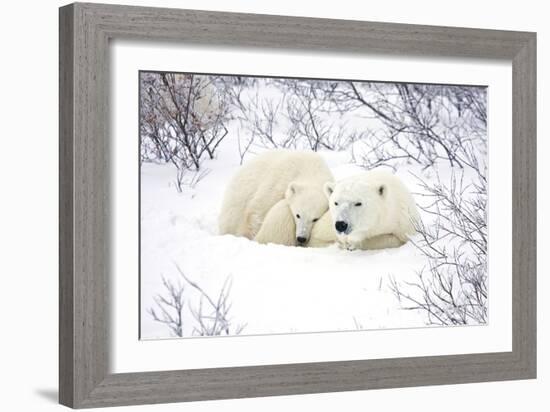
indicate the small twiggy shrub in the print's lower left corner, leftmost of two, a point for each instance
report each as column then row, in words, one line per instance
column 170, row 307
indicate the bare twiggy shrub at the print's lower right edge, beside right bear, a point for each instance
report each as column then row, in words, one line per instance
column 452, row 290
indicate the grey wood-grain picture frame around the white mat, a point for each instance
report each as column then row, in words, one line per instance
column 85, row 32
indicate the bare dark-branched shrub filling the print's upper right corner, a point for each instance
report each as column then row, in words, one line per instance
column 420, row 124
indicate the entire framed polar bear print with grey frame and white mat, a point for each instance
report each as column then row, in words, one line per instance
column 257, row 205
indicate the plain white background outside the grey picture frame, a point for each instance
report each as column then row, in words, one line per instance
column 28, row 206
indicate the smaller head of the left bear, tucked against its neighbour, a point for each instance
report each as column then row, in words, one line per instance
column 307, row 204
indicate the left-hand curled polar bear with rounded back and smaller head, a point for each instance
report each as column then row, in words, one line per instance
column 283, row 188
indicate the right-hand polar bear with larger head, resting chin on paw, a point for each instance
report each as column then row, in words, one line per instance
column 373, row 210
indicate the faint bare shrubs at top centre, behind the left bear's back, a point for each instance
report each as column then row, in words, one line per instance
column 288, row 113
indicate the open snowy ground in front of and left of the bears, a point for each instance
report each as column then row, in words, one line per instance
column 274, row 289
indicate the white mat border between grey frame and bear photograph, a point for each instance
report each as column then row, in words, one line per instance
column 129, row 354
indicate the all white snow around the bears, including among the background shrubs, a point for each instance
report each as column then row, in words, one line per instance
column 277, row 289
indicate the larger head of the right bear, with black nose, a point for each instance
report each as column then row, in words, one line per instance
column 355, row 205
